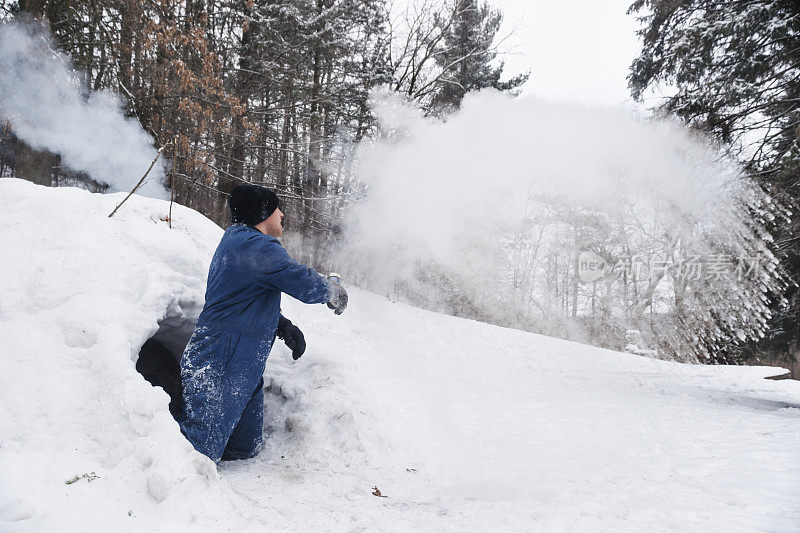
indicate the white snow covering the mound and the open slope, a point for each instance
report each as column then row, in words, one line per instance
column 460, row 425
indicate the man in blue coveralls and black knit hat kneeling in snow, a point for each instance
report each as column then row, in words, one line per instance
column 223, row 365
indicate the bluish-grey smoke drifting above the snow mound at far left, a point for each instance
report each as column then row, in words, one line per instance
column 41, row 97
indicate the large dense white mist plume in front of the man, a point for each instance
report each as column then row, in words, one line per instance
column 433, row 183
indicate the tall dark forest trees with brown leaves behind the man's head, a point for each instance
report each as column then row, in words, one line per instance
column 273, row 92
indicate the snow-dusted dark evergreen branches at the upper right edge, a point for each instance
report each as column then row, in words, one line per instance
column 733, row 69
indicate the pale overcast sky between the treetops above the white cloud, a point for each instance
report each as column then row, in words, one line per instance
column 578, row 50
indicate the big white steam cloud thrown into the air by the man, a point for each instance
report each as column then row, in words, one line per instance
column 460, row 193
